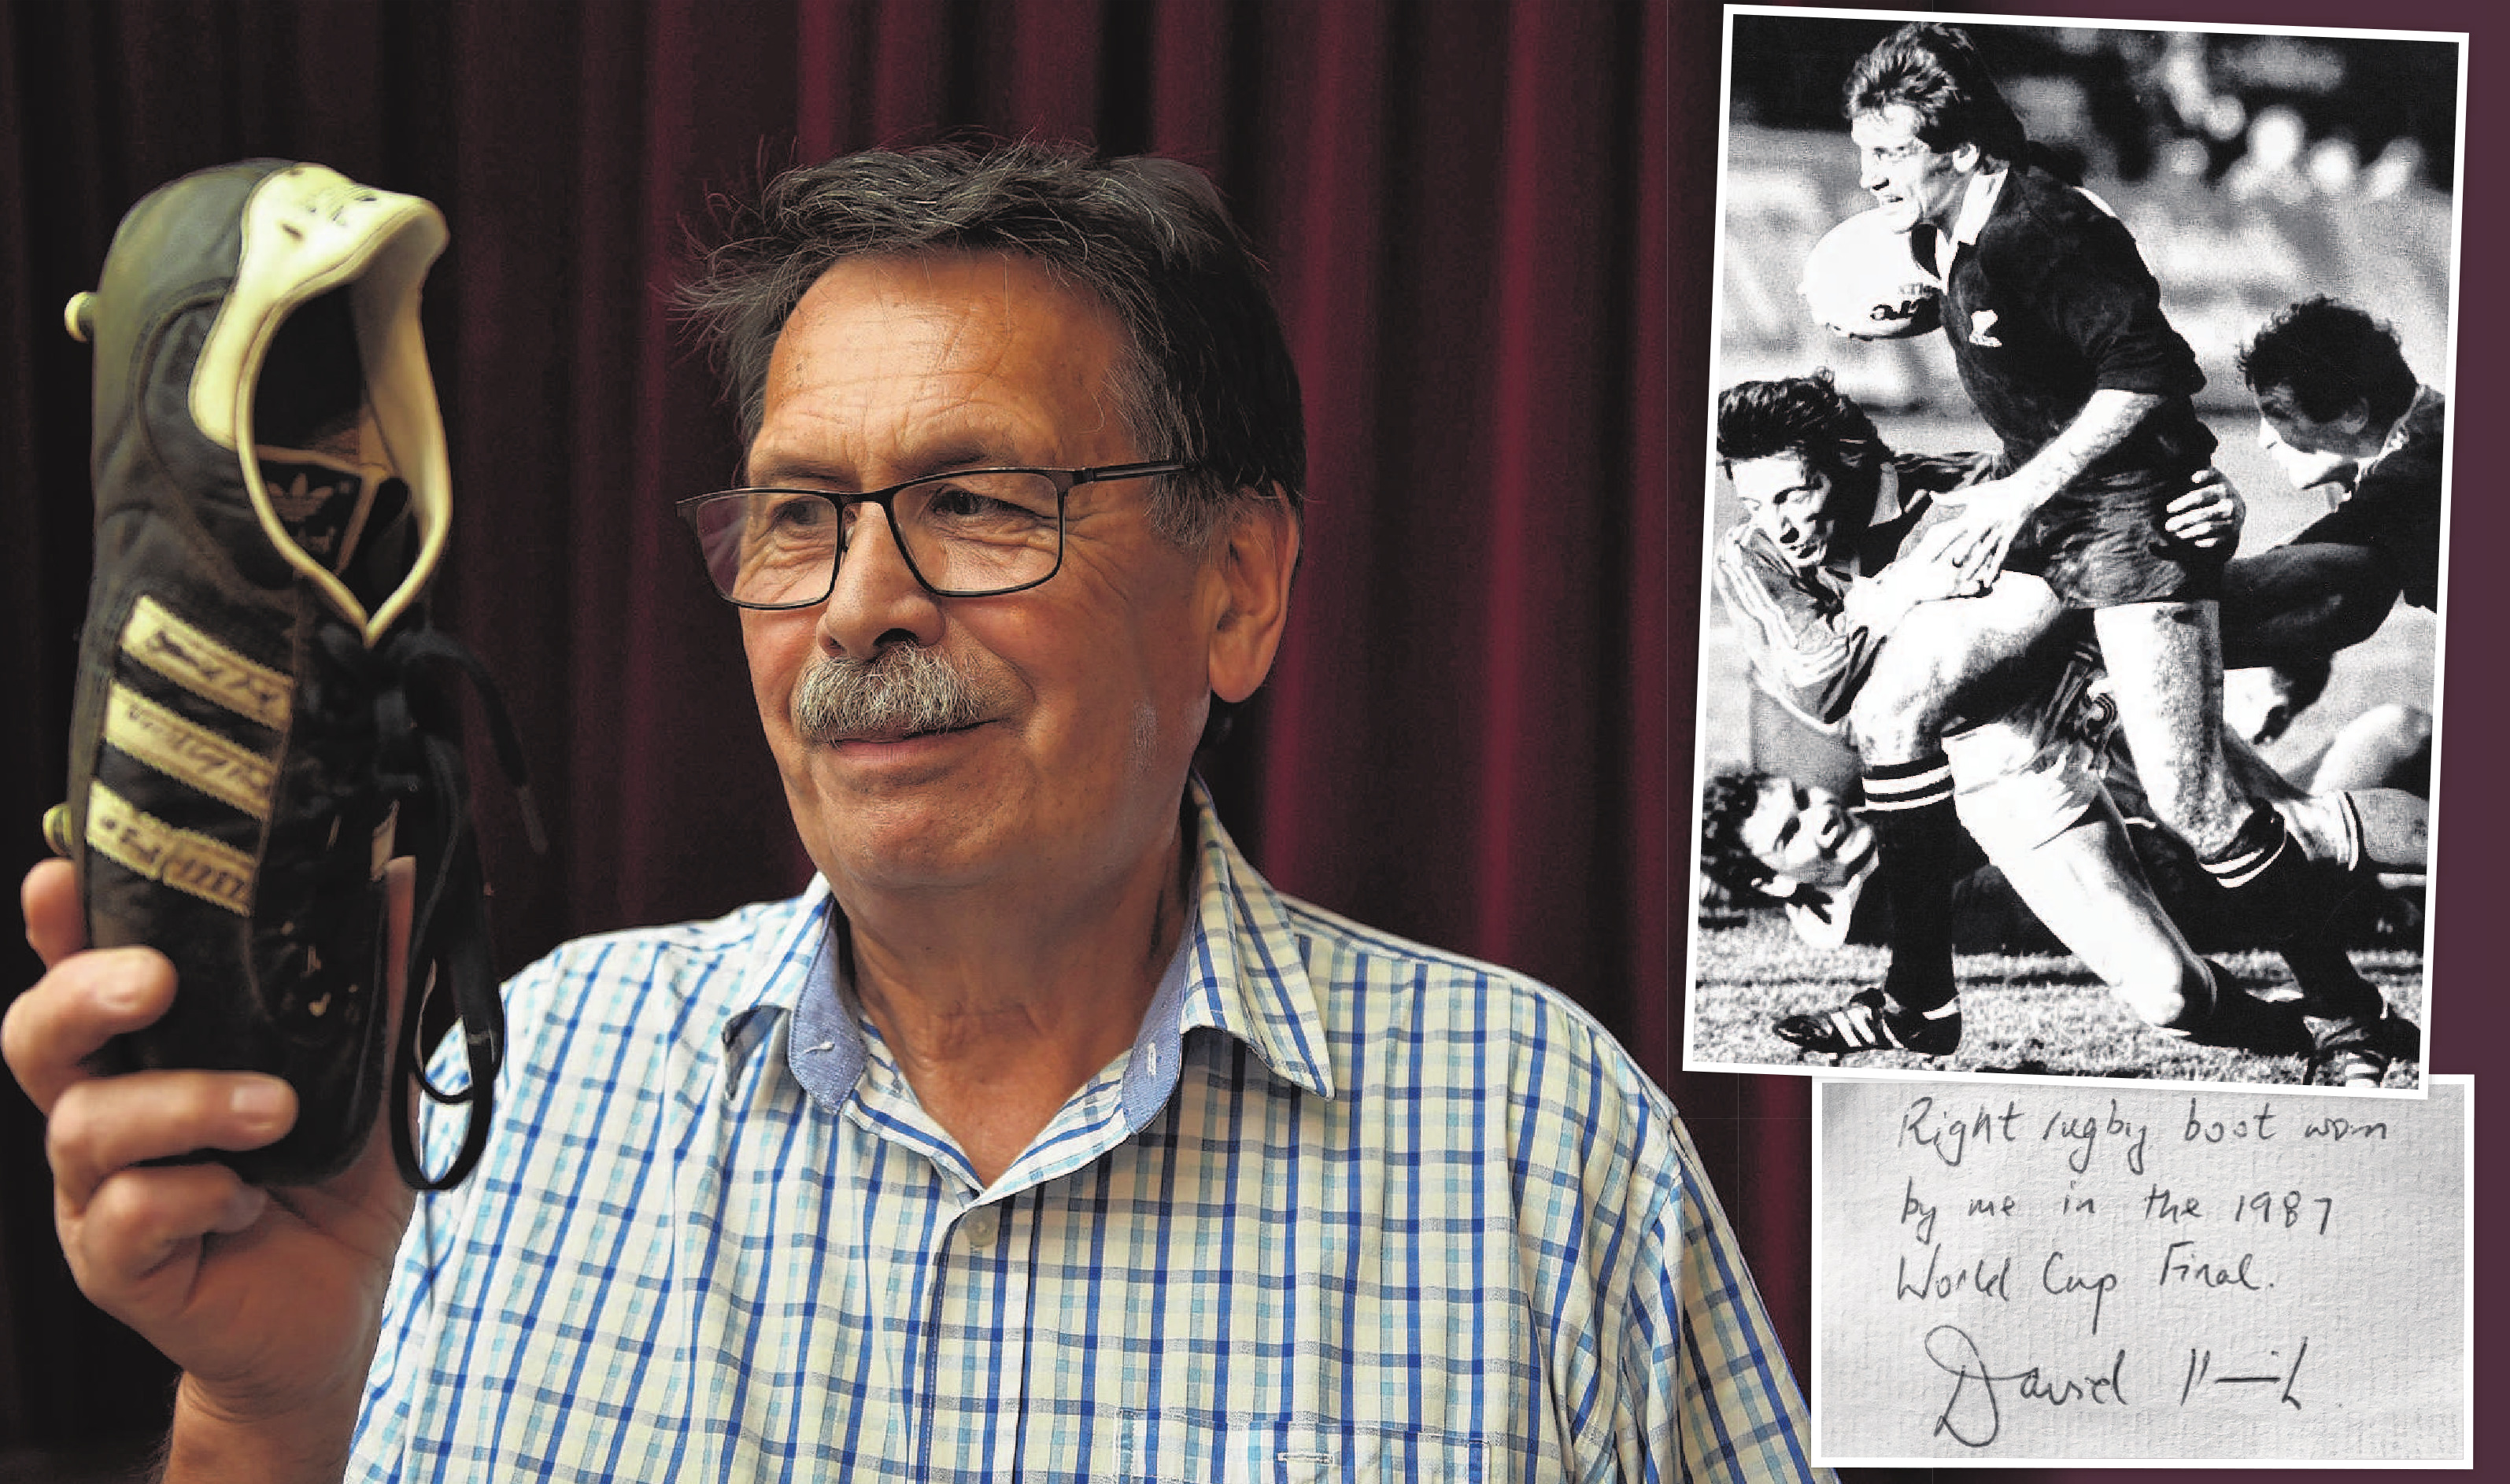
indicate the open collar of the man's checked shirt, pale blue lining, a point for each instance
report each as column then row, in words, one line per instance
column 1239, row 971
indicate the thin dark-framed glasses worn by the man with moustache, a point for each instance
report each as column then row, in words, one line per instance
column 975, row 534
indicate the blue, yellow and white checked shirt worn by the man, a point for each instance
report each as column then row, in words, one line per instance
column 1349, row 1209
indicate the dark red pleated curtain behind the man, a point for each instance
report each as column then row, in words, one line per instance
column 1475, row 727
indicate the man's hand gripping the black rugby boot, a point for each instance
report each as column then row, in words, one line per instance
column 270, row 1299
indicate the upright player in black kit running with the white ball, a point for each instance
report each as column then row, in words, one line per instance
column 2062, row 348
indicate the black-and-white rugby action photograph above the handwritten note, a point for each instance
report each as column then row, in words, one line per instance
column 2072, row 571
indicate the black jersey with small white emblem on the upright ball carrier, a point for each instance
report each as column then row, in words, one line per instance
column 2049, row 305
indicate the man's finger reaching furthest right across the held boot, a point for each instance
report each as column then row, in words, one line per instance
column 112, row 1124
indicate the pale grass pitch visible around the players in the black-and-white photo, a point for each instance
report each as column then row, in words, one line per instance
column 2029, row 1016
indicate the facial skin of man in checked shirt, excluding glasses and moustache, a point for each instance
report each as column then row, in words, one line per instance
column 1088, row 694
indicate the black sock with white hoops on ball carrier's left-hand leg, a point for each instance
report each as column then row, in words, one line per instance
column 1916, row 840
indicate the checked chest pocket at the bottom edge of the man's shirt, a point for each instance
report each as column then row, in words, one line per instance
column 1196, row 1448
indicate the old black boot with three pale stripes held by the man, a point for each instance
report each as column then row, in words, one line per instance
column 255, row 729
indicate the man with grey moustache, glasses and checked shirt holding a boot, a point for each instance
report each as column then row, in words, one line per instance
column 1038, row 1139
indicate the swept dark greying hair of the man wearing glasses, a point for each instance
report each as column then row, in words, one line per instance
column 1209, row 375
